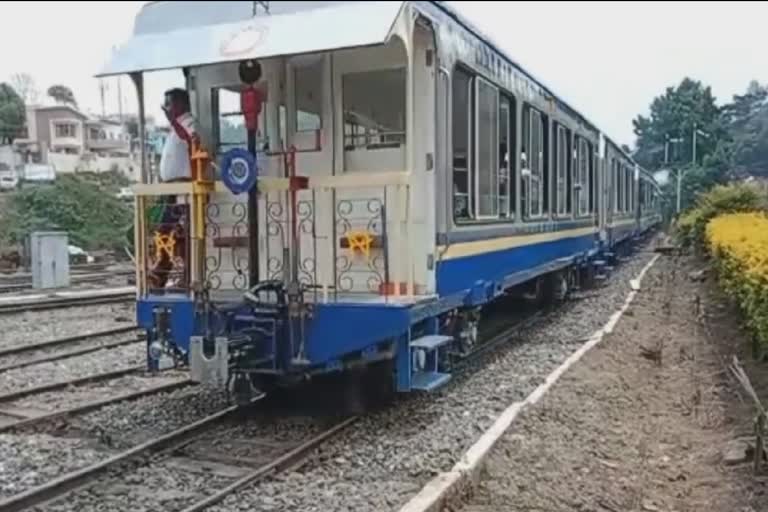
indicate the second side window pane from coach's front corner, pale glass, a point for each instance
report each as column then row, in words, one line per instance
column 487, row 155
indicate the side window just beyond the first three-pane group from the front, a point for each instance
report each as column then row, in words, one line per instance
column 532, row 156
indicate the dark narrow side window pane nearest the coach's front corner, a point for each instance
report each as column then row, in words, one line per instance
column 463, row 118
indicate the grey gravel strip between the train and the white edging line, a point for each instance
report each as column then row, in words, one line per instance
column 385, row 459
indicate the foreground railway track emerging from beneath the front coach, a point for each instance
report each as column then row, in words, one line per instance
column 227, row 460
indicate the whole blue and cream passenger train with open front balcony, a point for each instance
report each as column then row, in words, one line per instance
column 366, row 177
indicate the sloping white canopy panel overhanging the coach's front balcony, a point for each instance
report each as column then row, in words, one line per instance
column 331, row 27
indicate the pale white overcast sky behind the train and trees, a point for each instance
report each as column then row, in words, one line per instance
column 607, row 59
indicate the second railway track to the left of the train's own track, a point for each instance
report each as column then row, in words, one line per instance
column 21, row 356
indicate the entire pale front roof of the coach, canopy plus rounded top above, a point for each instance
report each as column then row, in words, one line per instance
column 168, row 36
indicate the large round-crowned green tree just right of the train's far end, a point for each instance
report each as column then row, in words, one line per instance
column 674, row 116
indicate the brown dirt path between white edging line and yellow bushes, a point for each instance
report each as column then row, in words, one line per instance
column 620, row 432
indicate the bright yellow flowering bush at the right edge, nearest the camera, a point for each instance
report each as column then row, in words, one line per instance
column 739, row 244
